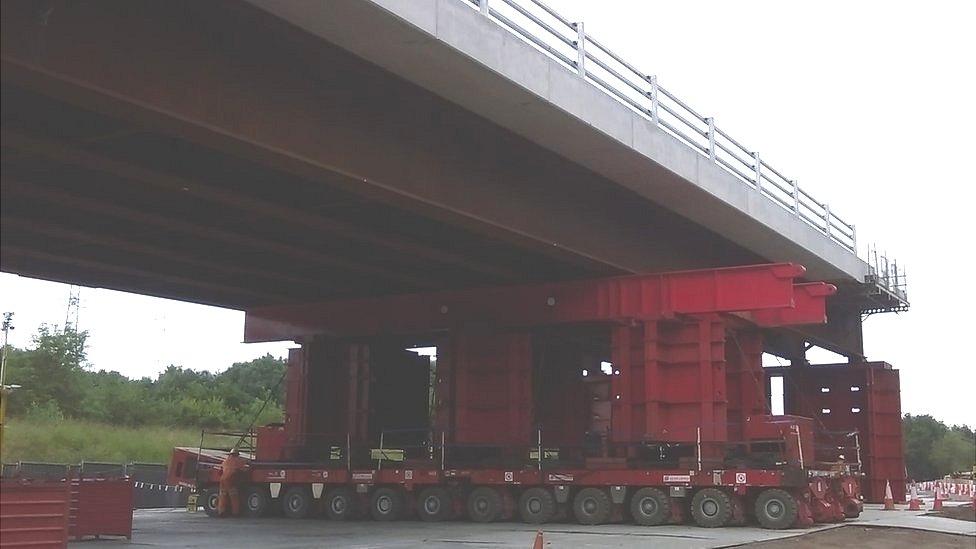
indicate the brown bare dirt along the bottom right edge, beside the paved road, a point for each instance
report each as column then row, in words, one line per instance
column 863, row 537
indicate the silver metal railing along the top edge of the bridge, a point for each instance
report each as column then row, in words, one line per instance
column 567, row 42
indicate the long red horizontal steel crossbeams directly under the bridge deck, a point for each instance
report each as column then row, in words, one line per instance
column 729, row 290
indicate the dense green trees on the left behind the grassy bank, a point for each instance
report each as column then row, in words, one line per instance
column 57, row 382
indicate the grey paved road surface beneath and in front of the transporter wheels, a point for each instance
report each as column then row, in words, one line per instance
column 178, row 528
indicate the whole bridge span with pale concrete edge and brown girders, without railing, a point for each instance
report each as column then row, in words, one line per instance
column 214, row 153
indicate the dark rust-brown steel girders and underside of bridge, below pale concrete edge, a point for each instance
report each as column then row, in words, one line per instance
column 207, row 152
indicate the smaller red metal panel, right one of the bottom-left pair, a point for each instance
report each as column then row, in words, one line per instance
column 100, row 507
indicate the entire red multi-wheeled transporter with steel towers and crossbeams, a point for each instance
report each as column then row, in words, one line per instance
column 636, row 397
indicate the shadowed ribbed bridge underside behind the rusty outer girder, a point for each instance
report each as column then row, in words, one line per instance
column 90, row 199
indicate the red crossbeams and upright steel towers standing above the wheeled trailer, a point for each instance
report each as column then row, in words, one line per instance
column 668, row 345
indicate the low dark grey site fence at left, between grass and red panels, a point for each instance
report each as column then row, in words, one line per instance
column 149, row 488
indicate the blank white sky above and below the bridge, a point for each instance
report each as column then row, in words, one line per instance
column 868, row 104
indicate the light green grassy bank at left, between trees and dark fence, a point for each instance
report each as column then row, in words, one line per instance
column 73, row 441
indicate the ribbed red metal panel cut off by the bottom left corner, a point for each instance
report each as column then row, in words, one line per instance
column 34, row 514
